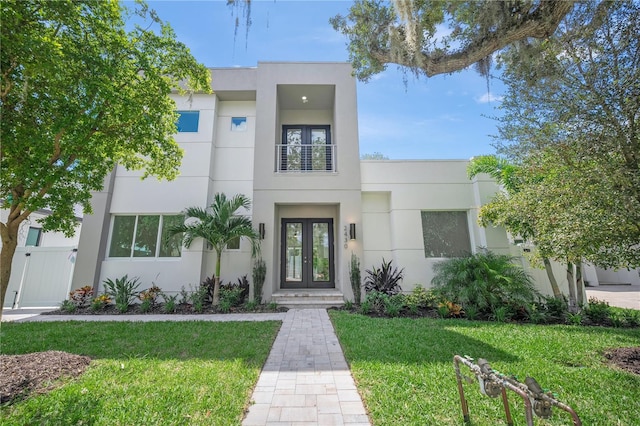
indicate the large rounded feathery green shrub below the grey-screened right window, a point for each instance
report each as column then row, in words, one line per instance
column 486, row 281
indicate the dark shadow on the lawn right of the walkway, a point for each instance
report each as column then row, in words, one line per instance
column 404, row 340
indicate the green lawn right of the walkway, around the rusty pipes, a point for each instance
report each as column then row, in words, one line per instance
column 404, row 369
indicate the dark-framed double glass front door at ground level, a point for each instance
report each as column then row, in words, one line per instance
column 307, row 253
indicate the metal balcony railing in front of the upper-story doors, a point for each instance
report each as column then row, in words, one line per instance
column 306, row 158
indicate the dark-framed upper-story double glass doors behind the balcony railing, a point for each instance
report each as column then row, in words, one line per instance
column 306, row 148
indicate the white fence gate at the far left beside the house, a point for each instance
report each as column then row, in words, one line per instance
column 40, row 276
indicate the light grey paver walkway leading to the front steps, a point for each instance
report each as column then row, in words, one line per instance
column 306, row 380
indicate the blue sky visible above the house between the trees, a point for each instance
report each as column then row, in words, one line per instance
column 443, row 117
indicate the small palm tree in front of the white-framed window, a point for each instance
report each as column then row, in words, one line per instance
column 219, row 225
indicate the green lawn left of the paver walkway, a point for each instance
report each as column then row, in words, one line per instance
column 156, row 373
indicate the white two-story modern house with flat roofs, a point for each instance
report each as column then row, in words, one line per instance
column 286, row 135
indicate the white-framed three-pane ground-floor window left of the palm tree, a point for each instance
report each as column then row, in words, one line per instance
column 143, row 236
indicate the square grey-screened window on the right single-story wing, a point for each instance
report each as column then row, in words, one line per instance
column 445, row 233
